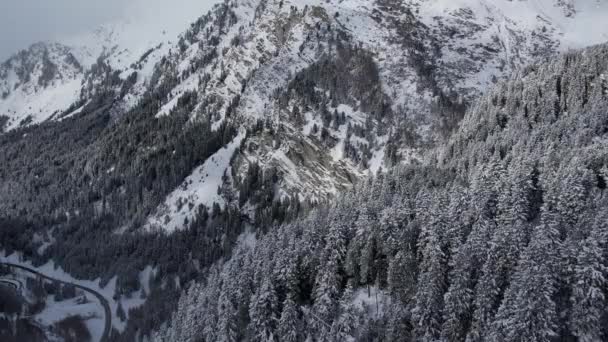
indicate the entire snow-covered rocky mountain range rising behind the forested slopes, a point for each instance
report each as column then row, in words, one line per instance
column 322, row 92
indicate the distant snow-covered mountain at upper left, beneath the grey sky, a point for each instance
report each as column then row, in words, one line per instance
column 52, row 80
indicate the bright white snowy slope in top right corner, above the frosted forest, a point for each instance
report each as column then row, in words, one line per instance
column 491, row 38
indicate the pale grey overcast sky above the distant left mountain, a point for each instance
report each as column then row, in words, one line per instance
column 23, row 22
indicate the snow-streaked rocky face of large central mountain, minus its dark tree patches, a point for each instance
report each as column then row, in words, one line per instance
column 468, row 44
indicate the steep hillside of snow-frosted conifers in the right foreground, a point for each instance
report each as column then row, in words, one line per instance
column 504, row 239
